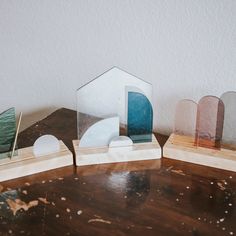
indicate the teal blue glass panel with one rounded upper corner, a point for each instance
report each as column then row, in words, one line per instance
column 140, row 118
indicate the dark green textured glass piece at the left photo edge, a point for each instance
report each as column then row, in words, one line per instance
column 7, row 132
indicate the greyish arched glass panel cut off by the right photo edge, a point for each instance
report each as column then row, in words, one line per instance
column 229, row 130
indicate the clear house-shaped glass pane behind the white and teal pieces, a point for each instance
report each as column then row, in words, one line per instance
column 106, row 97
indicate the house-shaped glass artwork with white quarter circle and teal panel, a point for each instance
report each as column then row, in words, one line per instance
column 113, row 104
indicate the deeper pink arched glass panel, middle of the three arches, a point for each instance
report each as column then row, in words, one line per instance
column 210, row 118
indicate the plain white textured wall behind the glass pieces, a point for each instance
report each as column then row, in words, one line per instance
column 187, row 49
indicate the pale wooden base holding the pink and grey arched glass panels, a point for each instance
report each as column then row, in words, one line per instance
column 182, row 148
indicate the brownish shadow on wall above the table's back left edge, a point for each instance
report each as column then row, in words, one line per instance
column 29, row 119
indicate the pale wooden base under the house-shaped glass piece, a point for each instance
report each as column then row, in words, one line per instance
column 137, row 152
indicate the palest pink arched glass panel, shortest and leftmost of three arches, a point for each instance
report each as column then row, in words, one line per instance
column 185, row 118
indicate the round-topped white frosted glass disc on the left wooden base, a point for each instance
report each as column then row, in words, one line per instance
column 45, row 145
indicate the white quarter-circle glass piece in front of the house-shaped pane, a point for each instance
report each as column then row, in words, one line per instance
column 101, row 133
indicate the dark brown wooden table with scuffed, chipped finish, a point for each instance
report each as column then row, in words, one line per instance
column 164, row 197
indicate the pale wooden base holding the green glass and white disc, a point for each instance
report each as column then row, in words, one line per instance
column 26, row 163
